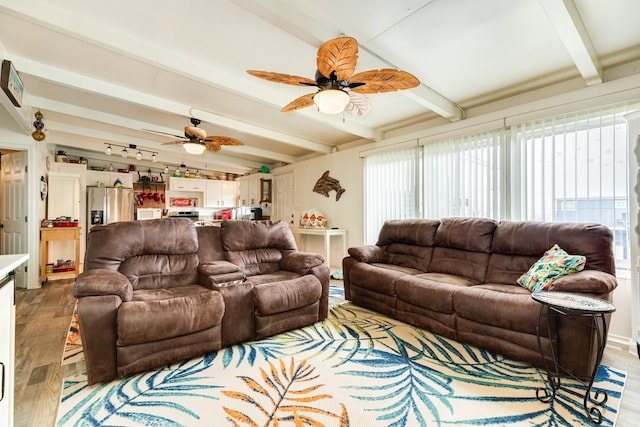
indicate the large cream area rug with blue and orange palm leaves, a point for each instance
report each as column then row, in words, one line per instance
column 357, row 368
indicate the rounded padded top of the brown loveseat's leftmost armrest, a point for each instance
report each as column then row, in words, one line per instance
column 101, row 281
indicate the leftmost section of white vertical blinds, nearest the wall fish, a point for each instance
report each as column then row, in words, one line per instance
column 392, row 189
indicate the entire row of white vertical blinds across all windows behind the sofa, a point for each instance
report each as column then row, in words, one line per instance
column 571, row 167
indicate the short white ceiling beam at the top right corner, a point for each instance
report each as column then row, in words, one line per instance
column 566, row 20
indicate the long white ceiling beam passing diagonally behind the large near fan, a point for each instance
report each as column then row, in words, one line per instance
column 287, row 19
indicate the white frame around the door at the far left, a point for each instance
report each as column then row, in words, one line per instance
column 33, row 223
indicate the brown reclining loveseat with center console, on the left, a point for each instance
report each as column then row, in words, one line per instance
column 158, row 291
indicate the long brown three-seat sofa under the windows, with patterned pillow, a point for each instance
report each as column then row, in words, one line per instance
column 458, row 278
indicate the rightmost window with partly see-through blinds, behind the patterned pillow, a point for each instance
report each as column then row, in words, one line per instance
column 575, row 168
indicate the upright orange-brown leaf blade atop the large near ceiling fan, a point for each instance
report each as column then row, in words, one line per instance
column 339, row 55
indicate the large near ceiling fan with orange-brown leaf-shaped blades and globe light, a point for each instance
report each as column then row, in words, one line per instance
column 338, row 88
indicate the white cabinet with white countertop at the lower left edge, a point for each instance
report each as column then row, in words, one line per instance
column 8, row 263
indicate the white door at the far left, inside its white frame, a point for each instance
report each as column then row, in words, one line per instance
column 13, row 205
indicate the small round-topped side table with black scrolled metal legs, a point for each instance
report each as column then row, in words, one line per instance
column 572, row 305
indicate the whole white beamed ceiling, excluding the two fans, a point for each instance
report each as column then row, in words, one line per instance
column 100, row 71
